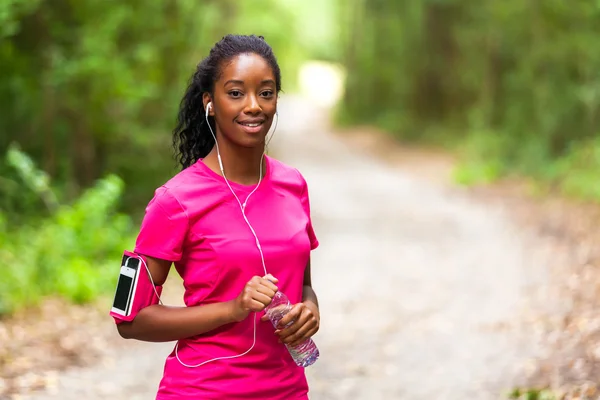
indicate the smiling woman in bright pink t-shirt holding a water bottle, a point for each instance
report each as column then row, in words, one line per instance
column 236, row 224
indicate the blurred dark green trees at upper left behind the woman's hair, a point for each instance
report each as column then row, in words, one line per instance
column 88, row 89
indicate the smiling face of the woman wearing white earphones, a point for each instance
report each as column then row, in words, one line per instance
column 245, row 101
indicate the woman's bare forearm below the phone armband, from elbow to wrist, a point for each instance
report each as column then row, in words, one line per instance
column 159, row 323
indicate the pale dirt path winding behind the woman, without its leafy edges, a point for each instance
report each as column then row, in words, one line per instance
column 422, row 290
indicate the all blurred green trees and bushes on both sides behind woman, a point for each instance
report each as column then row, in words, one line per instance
column 89, row 91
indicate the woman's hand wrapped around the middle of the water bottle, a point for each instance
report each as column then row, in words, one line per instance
column 305, row 317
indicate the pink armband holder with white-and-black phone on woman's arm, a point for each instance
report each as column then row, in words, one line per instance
column 135, row 288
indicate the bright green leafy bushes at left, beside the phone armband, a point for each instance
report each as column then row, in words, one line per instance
column 70, row 253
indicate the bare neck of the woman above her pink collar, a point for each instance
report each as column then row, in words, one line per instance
column 240, row 164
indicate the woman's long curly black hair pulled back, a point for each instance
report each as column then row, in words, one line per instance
column 192, row 138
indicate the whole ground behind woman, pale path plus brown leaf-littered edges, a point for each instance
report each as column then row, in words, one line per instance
column 426, row 290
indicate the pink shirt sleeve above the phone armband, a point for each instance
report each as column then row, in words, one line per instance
column 164, row 228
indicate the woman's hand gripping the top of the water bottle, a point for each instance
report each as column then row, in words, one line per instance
column 256, row 295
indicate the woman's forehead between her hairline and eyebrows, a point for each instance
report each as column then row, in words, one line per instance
column 248, row 68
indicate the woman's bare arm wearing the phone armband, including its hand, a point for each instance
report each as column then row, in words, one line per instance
column 158, row 323
